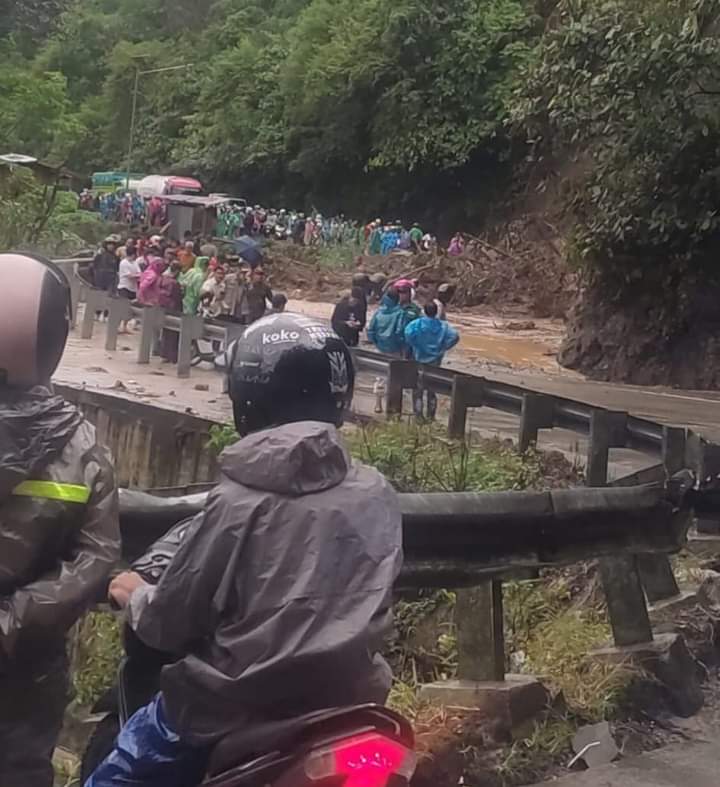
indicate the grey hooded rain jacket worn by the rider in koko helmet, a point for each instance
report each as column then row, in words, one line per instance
column 278, row 600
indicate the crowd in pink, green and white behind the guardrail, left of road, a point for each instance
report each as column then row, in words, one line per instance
column 192, row 278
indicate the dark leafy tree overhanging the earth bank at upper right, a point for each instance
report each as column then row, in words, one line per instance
column 633, row 89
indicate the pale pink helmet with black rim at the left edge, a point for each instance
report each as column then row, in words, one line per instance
column 35, row 321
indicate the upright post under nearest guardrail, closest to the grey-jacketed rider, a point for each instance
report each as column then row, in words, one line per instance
column 480, row 632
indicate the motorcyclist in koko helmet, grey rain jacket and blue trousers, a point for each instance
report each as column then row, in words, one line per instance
column 279, row 597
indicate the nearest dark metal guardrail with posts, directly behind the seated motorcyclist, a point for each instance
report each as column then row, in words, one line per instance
column 478, row 540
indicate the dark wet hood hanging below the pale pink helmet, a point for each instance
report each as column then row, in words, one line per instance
column 35, row 427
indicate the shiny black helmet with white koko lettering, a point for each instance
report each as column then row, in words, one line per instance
column 288, row 367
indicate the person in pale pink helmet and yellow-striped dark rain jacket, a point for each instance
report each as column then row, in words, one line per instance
column 58, row 519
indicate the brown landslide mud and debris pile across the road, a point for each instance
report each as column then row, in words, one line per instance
column 522, row 270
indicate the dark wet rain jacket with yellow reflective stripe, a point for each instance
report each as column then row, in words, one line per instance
column 55, row 554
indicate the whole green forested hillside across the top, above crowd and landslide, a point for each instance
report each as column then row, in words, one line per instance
column 457, row 113
